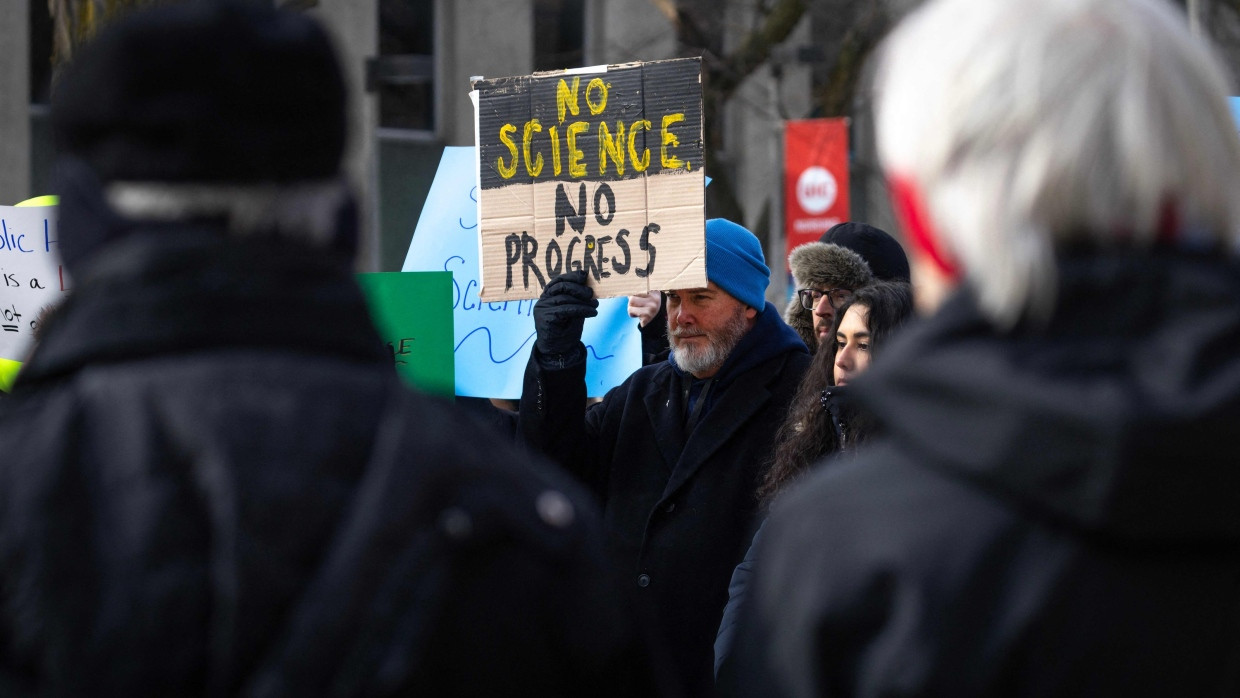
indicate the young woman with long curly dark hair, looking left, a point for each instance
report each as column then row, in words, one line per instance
column 821, row 422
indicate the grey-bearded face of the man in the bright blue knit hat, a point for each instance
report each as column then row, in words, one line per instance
column 704, row 327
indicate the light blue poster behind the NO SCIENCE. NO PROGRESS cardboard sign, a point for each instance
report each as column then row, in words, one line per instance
column 493, row 340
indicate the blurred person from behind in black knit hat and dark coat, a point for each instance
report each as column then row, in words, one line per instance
column 213, row 480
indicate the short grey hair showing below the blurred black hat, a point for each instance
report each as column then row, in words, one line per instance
column 307, row 211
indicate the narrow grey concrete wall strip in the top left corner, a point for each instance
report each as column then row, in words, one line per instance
column 15, row 104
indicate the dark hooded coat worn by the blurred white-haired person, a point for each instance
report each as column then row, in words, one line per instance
column 1055, row 513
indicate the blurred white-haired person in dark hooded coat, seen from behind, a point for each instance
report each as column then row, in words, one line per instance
column 1055, row 509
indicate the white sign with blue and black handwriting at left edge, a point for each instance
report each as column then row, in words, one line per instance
column 32, row 280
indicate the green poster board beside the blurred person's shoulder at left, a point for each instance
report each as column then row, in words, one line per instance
column 414, row 312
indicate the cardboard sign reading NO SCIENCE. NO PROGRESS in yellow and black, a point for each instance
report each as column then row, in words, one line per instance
column 596, row 169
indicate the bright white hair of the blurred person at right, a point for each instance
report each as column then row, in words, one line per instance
column 1032, row 125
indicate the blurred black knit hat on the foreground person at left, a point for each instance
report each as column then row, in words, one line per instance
column 206, row 91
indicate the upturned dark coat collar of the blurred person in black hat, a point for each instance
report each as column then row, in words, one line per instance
column 187, row 291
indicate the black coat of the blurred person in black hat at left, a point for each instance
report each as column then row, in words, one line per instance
column 213, row 483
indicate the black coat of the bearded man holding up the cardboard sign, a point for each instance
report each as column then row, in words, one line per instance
column 678, row 509
